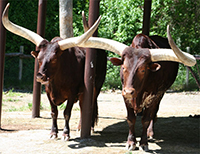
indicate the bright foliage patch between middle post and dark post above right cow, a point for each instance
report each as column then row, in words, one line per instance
column 121, row 20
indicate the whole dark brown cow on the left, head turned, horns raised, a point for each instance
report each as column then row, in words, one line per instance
column 61, row 70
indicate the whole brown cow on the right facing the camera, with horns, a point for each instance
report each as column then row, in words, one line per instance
column 145, row 74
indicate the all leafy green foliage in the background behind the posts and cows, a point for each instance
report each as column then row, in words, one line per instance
column 121, row 21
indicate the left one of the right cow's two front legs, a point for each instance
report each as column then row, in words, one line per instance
column 131, row 118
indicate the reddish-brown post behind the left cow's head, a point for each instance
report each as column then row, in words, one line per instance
column 36, row 85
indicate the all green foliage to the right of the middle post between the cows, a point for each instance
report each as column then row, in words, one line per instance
column 122, row 20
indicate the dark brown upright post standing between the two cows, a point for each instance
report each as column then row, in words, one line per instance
column 89, row 76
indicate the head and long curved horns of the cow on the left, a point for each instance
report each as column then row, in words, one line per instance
column 48, row 52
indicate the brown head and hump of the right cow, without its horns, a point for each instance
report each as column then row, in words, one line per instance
column 135, row 66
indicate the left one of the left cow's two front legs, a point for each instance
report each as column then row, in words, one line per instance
column 54, row 128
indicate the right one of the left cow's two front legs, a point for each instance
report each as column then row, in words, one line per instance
column 67, row 115
